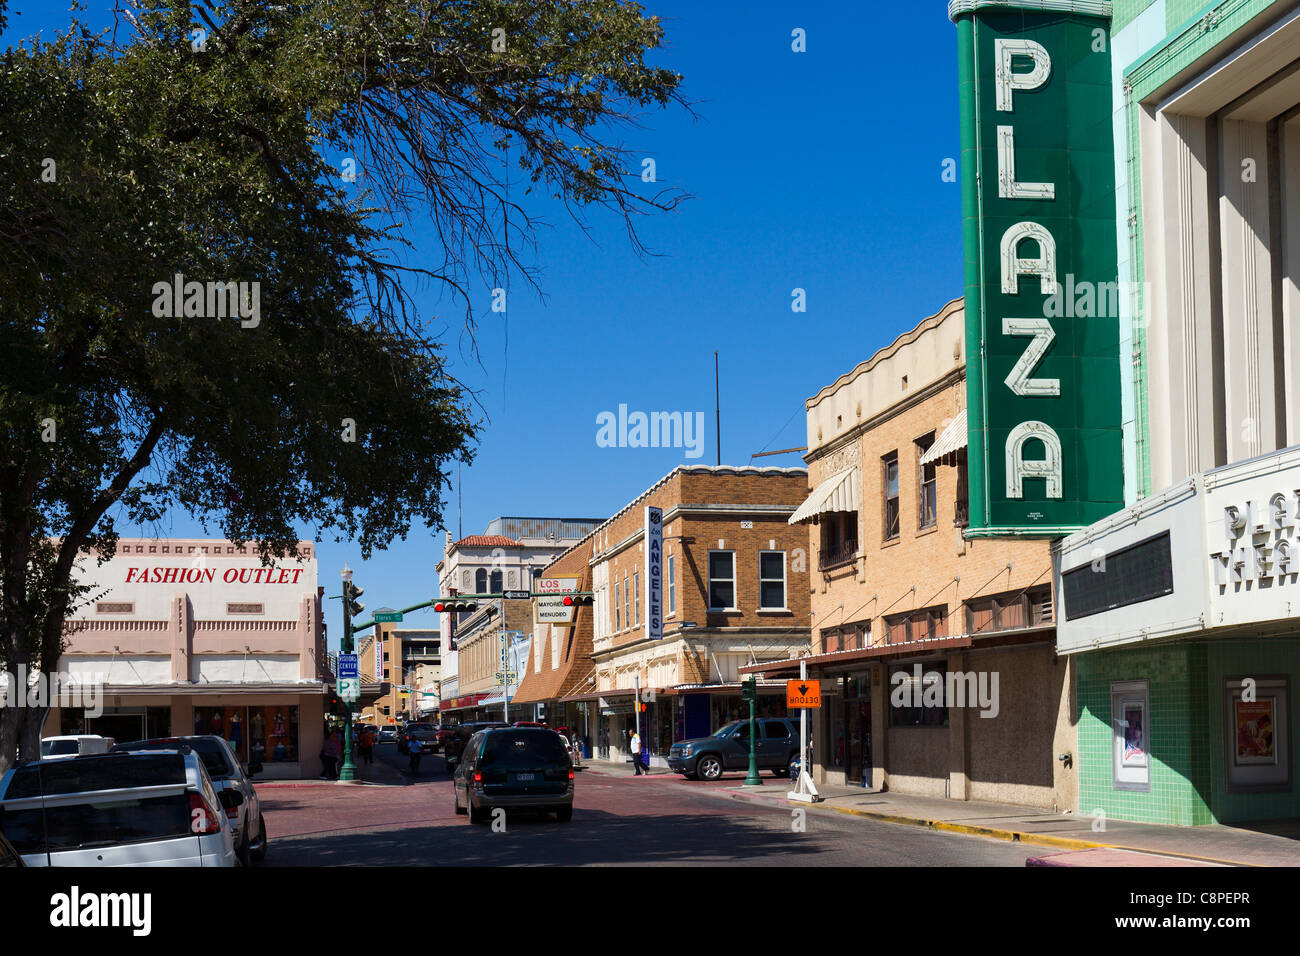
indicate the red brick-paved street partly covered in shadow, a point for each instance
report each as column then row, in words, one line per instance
column 618, row 821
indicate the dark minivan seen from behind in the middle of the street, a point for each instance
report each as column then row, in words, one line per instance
column 517, row 769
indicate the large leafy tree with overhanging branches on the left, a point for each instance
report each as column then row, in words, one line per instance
column 207, row 145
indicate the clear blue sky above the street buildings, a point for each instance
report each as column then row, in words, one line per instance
column 820, row 171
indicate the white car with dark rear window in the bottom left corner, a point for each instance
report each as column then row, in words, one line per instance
column 118, row 810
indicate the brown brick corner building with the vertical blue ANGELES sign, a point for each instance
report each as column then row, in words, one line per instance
column 735, row 592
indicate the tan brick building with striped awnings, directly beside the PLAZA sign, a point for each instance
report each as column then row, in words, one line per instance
column 899, row 592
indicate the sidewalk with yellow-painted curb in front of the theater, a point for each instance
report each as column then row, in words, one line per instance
column 1269, row 845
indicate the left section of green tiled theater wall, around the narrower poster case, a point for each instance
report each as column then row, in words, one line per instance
column 1180, row 771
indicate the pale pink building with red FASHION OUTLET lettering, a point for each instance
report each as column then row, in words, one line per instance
column 198, row 637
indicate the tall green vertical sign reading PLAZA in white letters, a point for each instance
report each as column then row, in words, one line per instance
column 1046, row 448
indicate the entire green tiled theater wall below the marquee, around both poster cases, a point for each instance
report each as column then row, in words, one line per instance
column 1188, row 750
